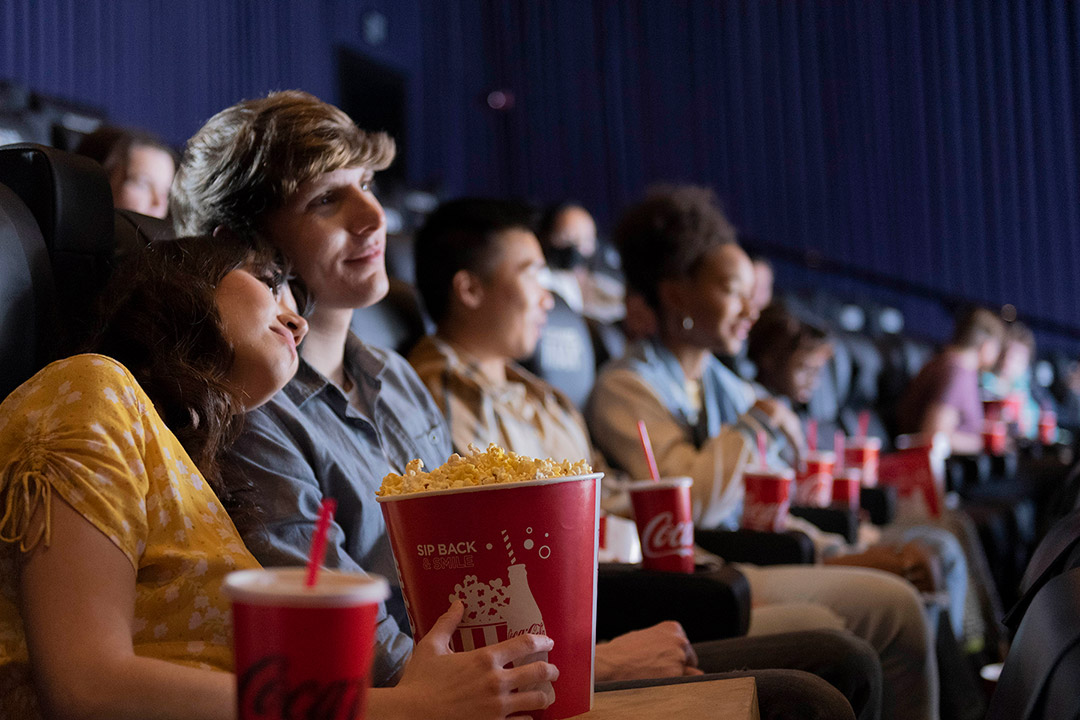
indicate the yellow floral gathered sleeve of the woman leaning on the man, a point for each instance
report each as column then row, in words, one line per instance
column 79, row 429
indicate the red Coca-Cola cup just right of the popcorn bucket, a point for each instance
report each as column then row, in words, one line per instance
column 665, row 524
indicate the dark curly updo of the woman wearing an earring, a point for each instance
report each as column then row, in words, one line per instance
column 667, row 236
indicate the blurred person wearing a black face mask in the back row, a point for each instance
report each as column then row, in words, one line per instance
column 568, row 235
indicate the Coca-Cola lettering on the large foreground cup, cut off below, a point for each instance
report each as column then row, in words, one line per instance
column 263, row 691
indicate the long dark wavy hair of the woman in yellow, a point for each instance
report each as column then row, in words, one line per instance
column 160, row 320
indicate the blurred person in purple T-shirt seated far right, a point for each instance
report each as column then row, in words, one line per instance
column 944, row 397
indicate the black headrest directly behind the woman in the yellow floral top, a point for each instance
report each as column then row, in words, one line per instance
column 72, row 203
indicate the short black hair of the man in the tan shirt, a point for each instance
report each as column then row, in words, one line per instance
column 461, row 236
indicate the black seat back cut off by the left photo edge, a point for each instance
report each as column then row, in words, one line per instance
column 28, row 295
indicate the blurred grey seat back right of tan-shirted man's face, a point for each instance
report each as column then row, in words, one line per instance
column 564, row 357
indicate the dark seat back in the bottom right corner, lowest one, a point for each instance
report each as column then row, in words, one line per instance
column 1038, row 681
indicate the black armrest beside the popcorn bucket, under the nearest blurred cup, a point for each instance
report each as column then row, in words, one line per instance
column 711, row 604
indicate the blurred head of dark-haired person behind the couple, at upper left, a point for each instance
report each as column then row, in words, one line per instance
column 141, row 168
